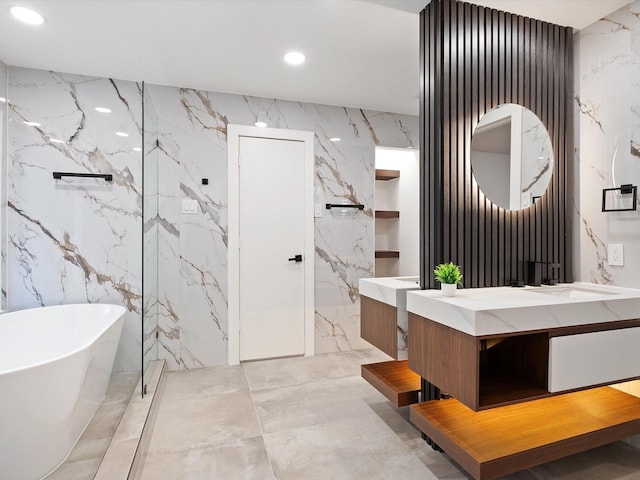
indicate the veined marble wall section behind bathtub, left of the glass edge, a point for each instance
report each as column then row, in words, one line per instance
column 75, row 239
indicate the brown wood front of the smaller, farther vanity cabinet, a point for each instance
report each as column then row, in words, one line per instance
column 379, row 324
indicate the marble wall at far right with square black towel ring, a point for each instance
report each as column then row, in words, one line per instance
column 608, row 122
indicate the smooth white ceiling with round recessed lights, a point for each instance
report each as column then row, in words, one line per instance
column 360, row 53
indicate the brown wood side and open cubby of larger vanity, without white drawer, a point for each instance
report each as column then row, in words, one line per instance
column 481, row 372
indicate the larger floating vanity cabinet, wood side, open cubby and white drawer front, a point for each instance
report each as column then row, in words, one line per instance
column 488, row 371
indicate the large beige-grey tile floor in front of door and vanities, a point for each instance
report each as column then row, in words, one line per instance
column 313, row 418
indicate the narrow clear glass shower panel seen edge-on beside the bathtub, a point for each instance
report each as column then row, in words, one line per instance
column 149, row 237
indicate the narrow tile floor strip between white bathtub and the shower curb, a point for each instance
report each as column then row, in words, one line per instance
column 85, row 458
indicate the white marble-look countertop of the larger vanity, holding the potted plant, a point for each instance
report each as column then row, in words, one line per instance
column 500, row 310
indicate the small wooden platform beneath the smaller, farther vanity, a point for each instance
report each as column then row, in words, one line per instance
column 394, row 380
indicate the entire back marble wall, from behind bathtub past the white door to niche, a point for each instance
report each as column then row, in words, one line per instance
column 80, row 240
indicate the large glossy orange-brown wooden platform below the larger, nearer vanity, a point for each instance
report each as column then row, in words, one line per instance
column 503, row 440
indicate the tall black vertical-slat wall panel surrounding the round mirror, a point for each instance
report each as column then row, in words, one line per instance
column 473, row 59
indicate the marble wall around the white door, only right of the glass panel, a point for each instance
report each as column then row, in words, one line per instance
column 192, row 249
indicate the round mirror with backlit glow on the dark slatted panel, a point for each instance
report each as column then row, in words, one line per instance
column 511, row 156
